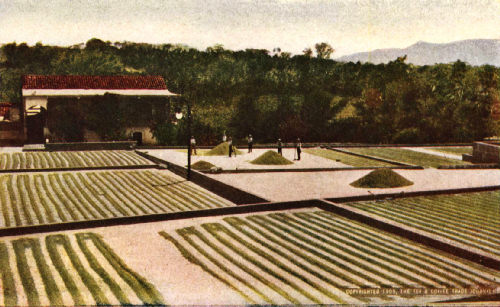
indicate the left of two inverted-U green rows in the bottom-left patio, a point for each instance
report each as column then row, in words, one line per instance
column 53, row 293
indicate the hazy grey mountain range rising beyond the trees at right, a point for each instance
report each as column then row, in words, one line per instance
column 472, row 51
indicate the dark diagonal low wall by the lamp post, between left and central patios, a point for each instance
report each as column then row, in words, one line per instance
column 226, row 191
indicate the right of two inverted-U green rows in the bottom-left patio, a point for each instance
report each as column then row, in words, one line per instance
column 52, row 242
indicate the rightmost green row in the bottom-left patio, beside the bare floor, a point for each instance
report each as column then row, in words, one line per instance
column 144, row 290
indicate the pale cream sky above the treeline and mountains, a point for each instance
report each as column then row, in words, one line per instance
column 348, row 25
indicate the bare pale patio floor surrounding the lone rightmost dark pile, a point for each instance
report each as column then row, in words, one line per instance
column 308, row 185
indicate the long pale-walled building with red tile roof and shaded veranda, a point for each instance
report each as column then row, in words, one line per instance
column 37, row 90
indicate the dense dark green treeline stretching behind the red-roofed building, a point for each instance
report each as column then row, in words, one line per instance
column 273, row 95
